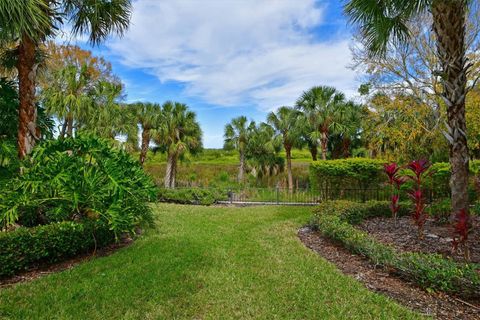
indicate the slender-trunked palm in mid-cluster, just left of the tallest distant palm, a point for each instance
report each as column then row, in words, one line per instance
column 286, row 123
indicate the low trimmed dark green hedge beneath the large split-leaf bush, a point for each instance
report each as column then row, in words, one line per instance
column 25, row 248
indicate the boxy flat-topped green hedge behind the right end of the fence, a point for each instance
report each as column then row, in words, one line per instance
column 359, row 173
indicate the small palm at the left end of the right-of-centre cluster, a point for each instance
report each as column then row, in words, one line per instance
column 236, row 137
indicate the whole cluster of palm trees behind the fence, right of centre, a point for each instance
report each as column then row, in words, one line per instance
column 320, row 115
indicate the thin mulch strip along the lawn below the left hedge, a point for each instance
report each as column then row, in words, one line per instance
column 43, row 270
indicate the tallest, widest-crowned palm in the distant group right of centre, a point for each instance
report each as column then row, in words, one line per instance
column 321, row 107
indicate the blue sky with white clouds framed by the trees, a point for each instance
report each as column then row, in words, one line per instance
column 226, row 58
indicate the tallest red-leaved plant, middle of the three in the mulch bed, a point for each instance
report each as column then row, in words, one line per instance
column 419, row 168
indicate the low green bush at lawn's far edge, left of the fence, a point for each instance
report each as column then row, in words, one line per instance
column 191, row 196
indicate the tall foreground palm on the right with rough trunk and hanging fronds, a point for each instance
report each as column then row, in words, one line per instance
column 384, row 21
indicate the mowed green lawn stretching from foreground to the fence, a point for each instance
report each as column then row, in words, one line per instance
column 205, row 263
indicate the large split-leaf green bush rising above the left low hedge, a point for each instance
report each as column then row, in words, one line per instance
column 78, row 178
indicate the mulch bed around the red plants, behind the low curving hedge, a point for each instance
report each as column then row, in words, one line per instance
column 438, row 238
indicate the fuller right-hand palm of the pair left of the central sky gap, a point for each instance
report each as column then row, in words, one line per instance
column 177, row 132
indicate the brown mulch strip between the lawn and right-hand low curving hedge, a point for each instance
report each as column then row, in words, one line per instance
column 438, row 305
